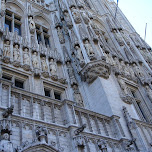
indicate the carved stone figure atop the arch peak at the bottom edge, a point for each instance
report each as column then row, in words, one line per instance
column 41, row 134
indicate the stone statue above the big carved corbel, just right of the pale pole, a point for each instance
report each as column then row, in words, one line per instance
column 89, row 49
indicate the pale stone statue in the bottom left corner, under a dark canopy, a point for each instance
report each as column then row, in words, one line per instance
column 5, row 144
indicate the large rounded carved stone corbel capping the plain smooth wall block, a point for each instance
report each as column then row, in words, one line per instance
column 96, row 69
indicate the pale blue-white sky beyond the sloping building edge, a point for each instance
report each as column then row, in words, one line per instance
column 139, row 12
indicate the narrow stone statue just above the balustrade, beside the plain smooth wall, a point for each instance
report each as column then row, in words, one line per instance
column 77, row 96
